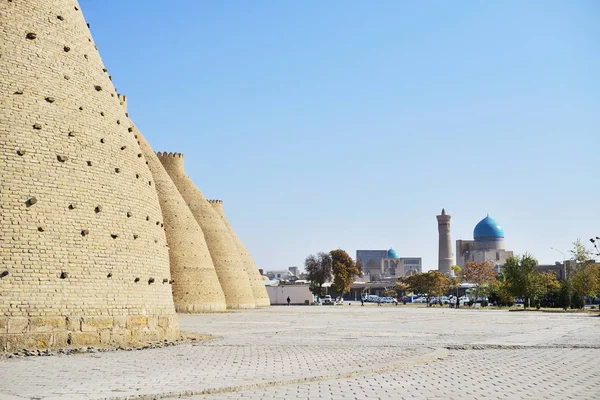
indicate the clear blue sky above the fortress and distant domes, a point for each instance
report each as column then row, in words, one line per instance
column 350, row 124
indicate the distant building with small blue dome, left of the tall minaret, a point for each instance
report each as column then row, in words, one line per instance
column 381, row 265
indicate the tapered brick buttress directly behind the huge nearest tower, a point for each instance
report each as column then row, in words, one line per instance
column 196, row 287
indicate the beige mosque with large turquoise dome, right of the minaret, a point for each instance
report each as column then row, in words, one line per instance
column 488, row 245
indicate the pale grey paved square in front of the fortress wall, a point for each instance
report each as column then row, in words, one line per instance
column 336, row 352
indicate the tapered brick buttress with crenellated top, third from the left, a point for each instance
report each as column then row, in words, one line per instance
column 230, row 269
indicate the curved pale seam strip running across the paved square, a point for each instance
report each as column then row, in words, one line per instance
column 437, row 354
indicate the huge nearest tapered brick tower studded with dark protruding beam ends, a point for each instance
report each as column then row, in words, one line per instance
column 83, row 251
